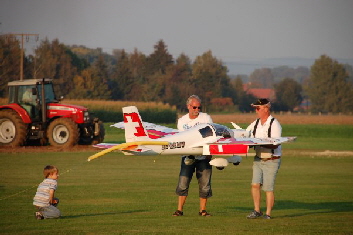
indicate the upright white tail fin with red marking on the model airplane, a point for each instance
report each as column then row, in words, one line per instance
column 134, row 129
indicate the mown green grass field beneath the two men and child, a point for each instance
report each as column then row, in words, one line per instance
column 118, row 194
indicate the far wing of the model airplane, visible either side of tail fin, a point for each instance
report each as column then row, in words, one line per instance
column 154, row 131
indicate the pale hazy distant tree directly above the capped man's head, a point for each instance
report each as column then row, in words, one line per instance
column 261, row 78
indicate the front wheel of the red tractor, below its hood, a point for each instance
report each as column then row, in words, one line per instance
column 63, row 132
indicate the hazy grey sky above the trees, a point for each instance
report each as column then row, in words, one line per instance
column 234, row 30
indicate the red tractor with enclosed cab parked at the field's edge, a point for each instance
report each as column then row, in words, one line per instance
column 33, row 115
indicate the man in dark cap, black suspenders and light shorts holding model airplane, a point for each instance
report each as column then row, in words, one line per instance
column 267, row 160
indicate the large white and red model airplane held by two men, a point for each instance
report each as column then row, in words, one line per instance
column 143, row 138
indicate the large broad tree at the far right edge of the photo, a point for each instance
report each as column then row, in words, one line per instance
column 329, row 90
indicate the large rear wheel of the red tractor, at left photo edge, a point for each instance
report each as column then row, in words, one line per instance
column 13, row 131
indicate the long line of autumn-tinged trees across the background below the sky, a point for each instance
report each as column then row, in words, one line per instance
column 83, row 73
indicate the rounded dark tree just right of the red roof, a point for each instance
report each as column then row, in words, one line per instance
column 288, row 94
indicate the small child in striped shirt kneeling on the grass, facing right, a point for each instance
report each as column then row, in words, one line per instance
column 44, row 199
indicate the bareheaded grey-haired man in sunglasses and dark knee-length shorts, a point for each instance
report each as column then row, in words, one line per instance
column 190, row 164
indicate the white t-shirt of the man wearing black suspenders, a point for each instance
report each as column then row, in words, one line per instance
column 262, row 132
